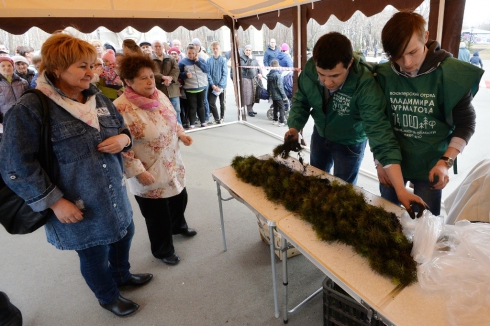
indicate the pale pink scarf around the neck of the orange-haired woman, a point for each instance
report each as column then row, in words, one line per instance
column 85, row 112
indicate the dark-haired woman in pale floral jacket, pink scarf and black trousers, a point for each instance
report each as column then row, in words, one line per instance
column 154, row 167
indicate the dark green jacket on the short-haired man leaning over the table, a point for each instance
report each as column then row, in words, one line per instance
column 356, row 110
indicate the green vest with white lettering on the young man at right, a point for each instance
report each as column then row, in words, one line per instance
column 420, row 110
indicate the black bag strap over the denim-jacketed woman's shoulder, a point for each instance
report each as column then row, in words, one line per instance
column 45, row 148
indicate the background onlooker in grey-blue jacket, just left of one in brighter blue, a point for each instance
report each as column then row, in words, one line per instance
column 193, row 73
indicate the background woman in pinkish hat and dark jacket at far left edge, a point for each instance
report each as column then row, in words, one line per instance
column 11, row 85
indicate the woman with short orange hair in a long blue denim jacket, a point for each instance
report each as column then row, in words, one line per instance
column 91, row 213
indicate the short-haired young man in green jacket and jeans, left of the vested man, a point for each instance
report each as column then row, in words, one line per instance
column 338, row 90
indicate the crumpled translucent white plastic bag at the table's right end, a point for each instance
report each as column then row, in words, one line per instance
column 455, row 259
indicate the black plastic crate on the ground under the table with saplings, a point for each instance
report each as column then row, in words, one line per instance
column 340, row 309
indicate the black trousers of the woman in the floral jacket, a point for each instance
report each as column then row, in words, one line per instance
column 164, row 217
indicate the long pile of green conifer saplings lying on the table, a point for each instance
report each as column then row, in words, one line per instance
column 337, row 212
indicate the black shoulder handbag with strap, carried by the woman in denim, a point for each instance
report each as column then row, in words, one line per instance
column 15, row 215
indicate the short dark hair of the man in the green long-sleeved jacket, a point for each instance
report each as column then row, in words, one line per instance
column 332, row 48
